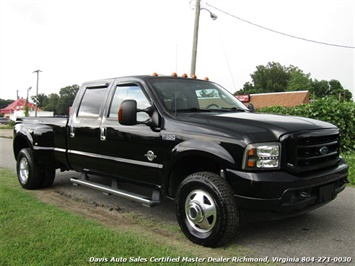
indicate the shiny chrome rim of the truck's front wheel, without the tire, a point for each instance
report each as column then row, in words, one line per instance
column 201, row 212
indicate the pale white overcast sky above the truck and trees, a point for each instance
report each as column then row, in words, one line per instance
column 73, row 41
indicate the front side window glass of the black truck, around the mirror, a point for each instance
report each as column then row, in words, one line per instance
column 129, row 92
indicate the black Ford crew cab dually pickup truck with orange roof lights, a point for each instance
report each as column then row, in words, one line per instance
column 189, row 140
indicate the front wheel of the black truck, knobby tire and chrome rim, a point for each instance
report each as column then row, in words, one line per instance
column 205, row 209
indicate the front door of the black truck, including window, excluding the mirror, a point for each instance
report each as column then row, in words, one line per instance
column 131, row 152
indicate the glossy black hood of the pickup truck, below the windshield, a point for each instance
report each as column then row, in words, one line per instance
column 252, row 127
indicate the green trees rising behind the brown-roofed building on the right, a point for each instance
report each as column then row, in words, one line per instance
column 275, row 77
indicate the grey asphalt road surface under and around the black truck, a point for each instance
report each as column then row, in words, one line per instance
column 323, row 234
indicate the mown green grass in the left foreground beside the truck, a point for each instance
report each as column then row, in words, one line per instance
column 35, row 233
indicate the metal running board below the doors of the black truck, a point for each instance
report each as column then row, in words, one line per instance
column 154, row 201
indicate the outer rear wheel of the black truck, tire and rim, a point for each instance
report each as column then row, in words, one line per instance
column 28, row 173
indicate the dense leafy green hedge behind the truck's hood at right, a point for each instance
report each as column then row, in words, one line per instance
column 341, row 114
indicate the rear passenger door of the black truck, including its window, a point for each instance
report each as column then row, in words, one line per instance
column 84, row 143
